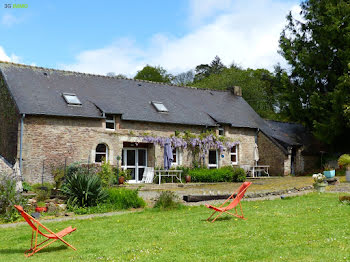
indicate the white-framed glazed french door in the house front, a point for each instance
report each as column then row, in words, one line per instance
column 135, row 160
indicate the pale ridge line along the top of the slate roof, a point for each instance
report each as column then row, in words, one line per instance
column 106, row 76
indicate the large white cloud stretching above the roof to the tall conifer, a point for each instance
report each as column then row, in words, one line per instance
column 246, row 32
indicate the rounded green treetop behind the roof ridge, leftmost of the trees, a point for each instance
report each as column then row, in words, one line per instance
column 156, row 74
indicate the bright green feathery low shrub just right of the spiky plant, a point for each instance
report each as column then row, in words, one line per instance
column 122, row 198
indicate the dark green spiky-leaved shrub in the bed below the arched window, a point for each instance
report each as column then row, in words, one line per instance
column 84, row 190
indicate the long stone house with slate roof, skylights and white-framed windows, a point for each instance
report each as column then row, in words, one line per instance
column 51, row 117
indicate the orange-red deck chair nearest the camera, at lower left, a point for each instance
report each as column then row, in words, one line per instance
column 35, row 225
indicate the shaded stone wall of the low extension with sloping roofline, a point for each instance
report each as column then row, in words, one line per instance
column 272, row 155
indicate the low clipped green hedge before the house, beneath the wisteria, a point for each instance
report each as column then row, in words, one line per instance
column 223, row 174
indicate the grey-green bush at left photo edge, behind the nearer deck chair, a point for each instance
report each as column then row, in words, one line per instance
column 8, row 198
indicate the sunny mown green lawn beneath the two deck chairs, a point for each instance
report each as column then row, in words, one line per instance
column 307, row 228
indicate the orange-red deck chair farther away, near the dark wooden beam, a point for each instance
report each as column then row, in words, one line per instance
column 236, row 196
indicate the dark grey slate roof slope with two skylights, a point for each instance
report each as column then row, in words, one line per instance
column 38, row 91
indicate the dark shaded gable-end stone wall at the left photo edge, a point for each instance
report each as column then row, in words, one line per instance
column 9, row 122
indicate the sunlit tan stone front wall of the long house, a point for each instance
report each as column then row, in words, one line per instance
column 50, row 141
